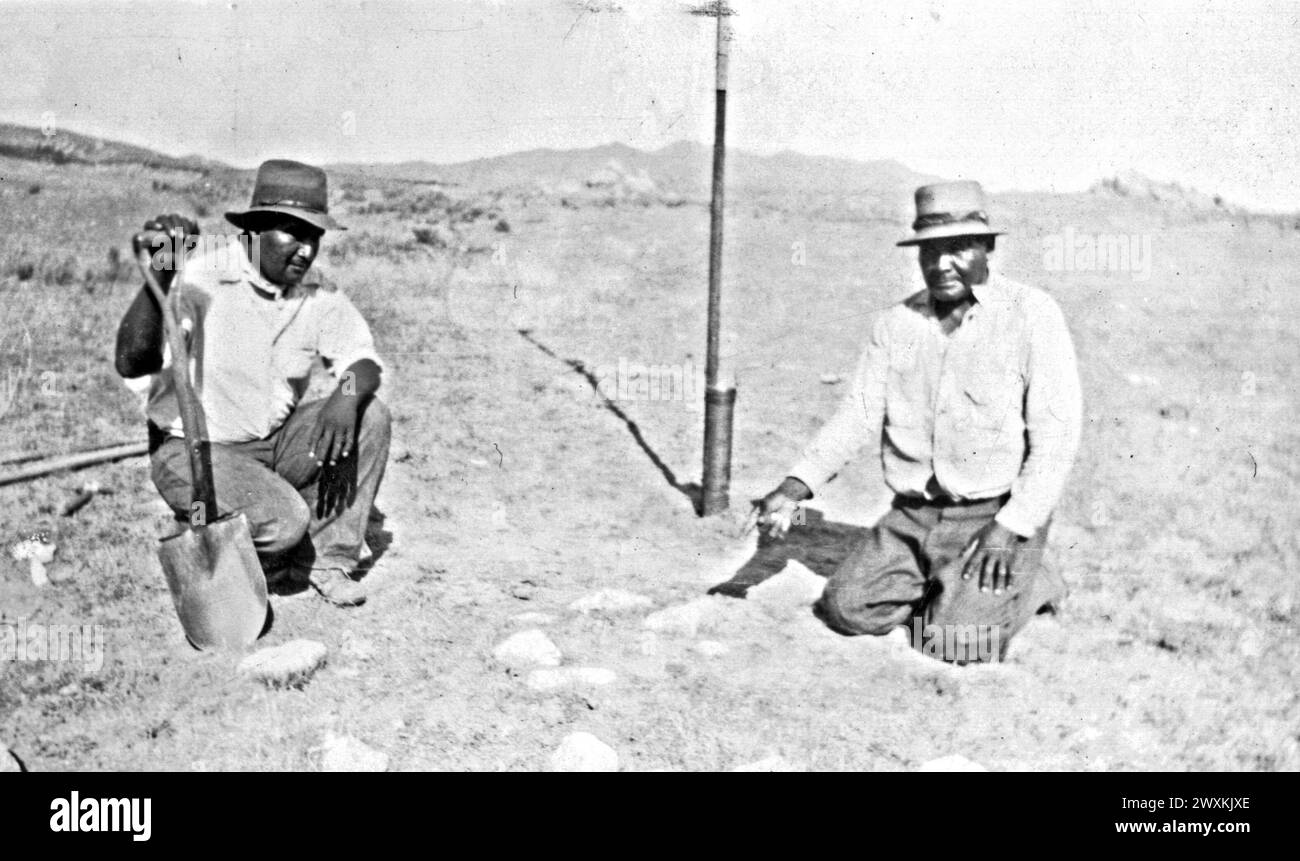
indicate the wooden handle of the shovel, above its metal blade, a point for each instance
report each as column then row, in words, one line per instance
column 192, row 412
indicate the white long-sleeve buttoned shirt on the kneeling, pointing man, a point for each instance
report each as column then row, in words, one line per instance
column 993, row 408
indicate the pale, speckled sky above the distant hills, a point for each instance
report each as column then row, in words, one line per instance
column 1021, row 96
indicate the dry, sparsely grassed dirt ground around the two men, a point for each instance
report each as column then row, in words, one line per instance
column 517, row 487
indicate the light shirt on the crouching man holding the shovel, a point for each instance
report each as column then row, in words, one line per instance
column 253, row 345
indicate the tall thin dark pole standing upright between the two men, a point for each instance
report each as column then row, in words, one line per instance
column 720, row 396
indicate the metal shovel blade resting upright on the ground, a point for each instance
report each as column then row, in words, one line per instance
column 218, row 585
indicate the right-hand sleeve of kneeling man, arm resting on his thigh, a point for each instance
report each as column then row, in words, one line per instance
column 1054, row 418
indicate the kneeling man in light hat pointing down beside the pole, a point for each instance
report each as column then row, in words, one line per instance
column 972, row 391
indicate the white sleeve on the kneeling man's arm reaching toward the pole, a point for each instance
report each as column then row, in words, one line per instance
column 856, row 422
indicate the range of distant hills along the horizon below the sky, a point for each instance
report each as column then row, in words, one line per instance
column 609, row 175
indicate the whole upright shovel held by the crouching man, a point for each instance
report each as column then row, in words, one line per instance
column 213, row 570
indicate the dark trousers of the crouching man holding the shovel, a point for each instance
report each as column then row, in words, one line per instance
column 278, row 486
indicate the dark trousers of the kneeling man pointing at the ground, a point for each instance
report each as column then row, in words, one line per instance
column 909, row 573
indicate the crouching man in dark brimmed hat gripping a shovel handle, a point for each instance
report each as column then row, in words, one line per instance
column 305, row 474
